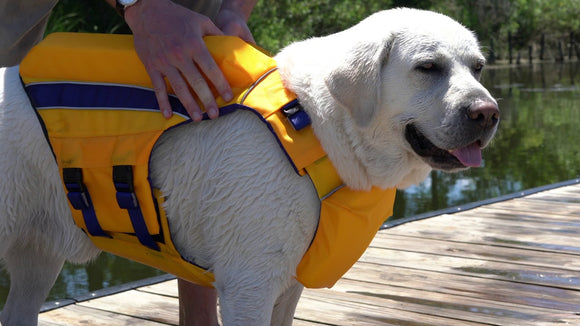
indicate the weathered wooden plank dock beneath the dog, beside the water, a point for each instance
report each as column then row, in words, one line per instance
column 512, row 262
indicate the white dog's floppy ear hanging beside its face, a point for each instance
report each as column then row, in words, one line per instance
column 355, row 82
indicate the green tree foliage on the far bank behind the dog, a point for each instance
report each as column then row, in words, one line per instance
column 277, row 23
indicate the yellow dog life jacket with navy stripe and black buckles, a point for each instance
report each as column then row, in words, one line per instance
column 101, row 116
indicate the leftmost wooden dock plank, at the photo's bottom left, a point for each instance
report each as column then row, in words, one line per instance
column 79, row 315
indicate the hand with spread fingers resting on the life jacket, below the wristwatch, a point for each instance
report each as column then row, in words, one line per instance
column 169, row 41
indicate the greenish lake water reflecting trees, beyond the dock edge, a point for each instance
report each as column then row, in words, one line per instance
column 537, row 144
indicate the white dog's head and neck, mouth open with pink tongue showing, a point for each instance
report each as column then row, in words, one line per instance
column 401, row 90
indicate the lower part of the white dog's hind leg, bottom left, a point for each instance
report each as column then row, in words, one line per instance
column 33, row 267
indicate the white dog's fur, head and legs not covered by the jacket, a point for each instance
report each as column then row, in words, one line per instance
column 390, row 99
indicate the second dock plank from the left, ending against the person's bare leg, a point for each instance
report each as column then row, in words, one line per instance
column 139, row 304
